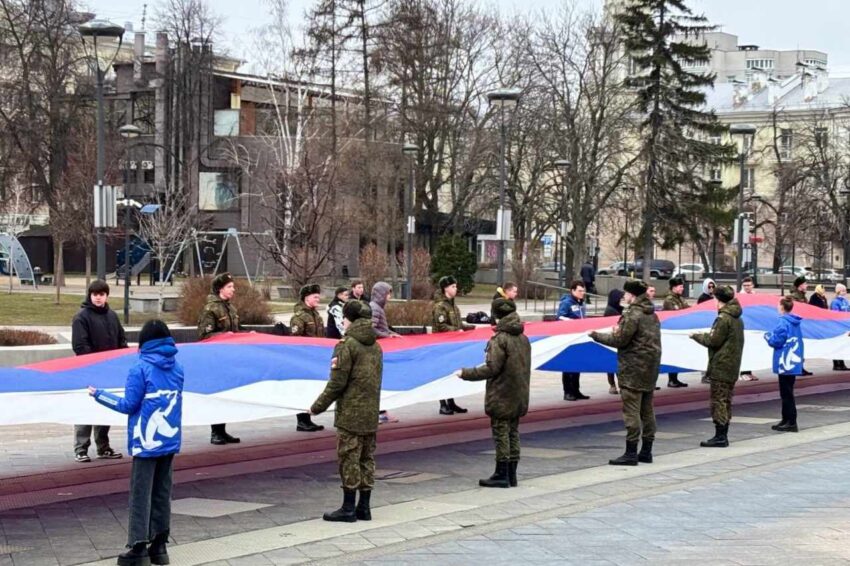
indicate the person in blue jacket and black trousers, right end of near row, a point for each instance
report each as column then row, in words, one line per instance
column 788, row 355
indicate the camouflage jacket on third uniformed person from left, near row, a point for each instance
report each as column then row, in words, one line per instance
column 638, row 342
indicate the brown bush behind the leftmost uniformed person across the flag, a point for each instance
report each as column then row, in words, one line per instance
column 249, row 302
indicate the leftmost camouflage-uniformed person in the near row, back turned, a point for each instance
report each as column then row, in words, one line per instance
column 355, row 386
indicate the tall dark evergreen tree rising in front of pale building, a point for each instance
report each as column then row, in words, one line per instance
column 663, row 40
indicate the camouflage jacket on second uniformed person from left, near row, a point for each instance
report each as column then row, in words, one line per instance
column 507, row 370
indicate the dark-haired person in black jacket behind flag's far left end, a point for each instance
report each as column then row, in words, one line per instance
column 95, row 328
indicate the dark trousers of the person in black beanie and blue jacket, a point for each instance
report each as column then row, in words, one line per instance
column 150, row 499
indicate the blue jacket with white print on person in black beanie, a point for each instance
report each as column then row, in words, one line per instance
column 153, row 399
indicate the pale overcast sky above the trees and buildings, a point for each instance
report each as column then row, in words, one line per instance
column 775, row 24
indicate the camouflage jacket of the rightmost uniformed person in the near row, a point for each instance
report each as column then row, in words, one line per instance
column 725, row 343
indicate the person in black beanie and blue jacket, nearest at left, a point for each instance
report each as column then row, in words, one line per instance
column 153, row 399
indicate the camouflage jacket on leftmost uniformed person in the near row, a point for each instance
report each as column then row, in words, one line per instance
column 355, row 382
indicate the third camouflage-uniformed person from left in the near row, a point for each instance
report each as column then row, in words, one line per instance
column 637, row 338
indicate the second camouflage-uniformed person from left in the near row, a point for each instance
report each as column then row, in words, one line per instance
column 507, row 370
